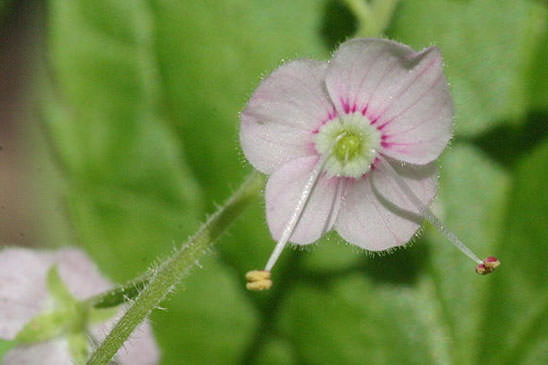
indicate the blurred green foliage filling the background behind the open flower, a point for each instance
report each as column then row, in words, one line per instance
column 141, row 113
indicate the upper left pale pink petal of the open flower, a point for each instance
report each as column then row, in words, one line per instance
column 285, row 109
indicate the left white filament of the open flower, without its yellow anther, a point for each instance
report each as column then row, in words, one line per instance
column 301, row 205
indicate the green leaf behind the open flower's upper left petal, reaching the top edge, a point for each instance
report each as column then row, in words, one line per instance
column 211, row 55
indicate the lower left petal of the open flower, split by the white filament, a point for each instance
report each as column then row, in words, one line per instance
column 283, row 191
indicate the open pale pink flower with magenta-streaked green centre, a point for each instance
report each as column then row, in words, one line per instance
column 350, row 144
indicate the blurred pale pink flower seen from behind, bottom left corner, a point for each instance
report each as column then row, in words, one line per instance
column 24, row 296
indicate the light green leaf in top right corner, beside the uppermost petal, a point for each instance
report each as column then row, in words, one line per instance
column 488, row 47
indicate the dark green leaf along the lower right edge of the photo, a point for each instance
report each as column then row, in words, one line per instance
column 517, row 302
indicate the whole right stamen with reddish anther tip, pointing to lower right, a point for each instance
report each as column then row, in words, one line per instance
column 486, row 266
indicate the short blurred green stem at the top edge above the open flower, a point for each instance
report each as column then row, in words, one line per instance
column 373, row 16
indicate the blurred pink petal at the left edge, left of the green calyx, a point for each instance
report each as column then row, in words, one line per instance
column 22, row 288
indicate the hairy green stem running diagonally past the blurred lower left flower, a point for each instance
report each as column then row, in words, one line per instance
column 171, row 271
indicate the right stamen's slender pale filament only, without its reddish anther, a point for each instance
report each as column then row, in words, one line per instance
column 428, row 214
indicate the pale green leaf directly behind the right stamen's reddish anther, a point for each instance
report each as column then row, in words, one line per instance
column 473, row 193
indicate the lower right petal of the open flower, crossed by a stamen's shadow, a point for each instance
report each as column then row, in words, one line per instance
column 375, row 214
